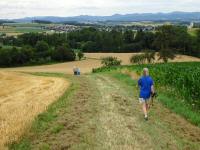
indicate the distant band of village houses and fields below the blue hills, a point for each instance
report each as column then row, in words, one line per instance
column 101, row 26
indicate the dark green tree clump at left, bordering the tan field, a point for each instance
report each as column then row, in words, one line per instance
column 41, row 53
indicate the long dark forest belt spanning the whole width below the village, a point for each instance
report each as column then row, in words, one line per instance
column 167, row 37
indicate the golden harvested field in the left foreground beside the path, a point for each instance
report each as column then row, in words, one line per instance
column 22, row 98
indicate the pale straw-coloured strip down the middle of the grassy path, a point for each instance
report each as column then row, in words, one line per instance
column 118, row 128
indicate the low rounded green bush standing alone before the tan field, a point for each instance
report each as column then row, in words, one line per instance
column 111, row 61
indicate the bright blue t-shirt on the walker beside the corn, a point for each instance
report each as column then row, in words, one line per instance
column 145, row 83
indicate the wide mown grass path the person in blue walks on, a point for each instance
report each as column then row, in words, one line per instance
column 104, row 114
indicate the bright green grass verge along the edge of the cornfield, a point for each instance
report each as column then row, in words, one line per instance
column 168, row 98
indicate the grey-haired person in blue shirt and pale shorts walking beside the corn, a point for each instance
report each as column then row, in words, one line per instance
column 146, row 85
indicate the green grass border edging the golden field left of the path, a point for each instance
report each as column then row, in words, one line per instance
column 43, row 121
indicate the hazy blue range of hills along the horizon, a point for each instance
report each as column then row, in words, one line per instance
column 173, row 16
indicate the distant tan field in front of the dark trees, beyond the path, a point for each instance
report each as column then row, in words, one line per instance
column 92, row 61
